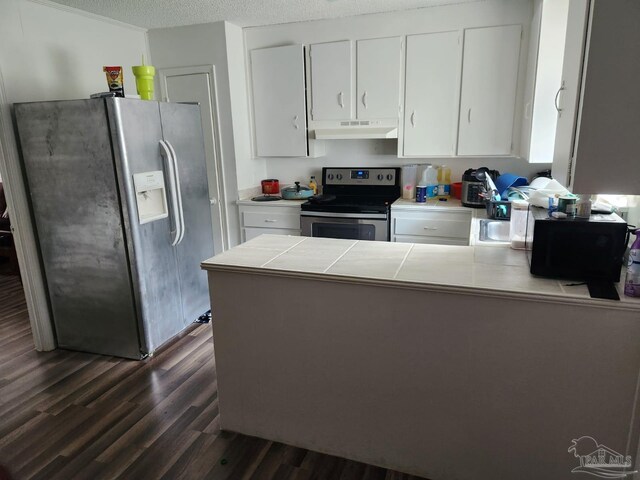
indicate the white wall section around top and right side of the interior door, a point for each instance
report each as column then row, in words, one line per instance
column 217, row 44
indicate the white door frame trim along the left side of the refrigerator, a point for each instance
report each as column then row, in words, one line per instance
column 24, row 234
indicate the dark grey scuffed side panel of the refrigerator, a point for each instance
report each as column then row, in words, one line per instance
column 69, row 167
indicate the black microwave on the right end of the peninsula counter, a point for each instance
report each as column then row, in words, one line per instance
column 589, row 250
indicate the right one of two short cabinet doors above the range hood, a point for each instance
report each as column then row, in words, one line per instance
column 378, row 72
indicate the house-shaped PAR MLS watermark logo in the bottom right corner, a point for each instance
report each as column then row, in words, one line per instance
column 599, row 460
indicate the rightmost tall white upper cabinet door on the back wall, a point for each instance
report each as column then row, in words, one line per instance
column 488, row 96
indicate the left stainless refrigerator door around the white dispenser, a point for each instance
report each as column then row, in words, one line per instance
column 136, row 130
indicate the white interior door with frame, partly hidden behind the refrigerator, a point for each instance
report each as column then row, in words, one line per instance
column 197, row 84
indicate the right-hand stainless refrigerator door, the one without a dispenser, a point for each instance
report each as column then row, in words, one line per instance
column 182, row 129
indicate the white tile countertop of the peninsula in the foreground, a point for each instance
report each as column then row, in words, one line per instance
column 498, row 271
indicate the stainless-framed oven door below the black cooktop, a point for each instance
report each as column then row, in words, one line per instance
column 352, row 226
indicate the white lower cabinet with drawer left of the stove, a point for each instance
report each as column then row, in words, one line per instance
column 256, row 220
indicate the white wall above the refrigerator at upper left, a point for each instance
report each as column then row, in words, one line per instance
column 49, row 52
